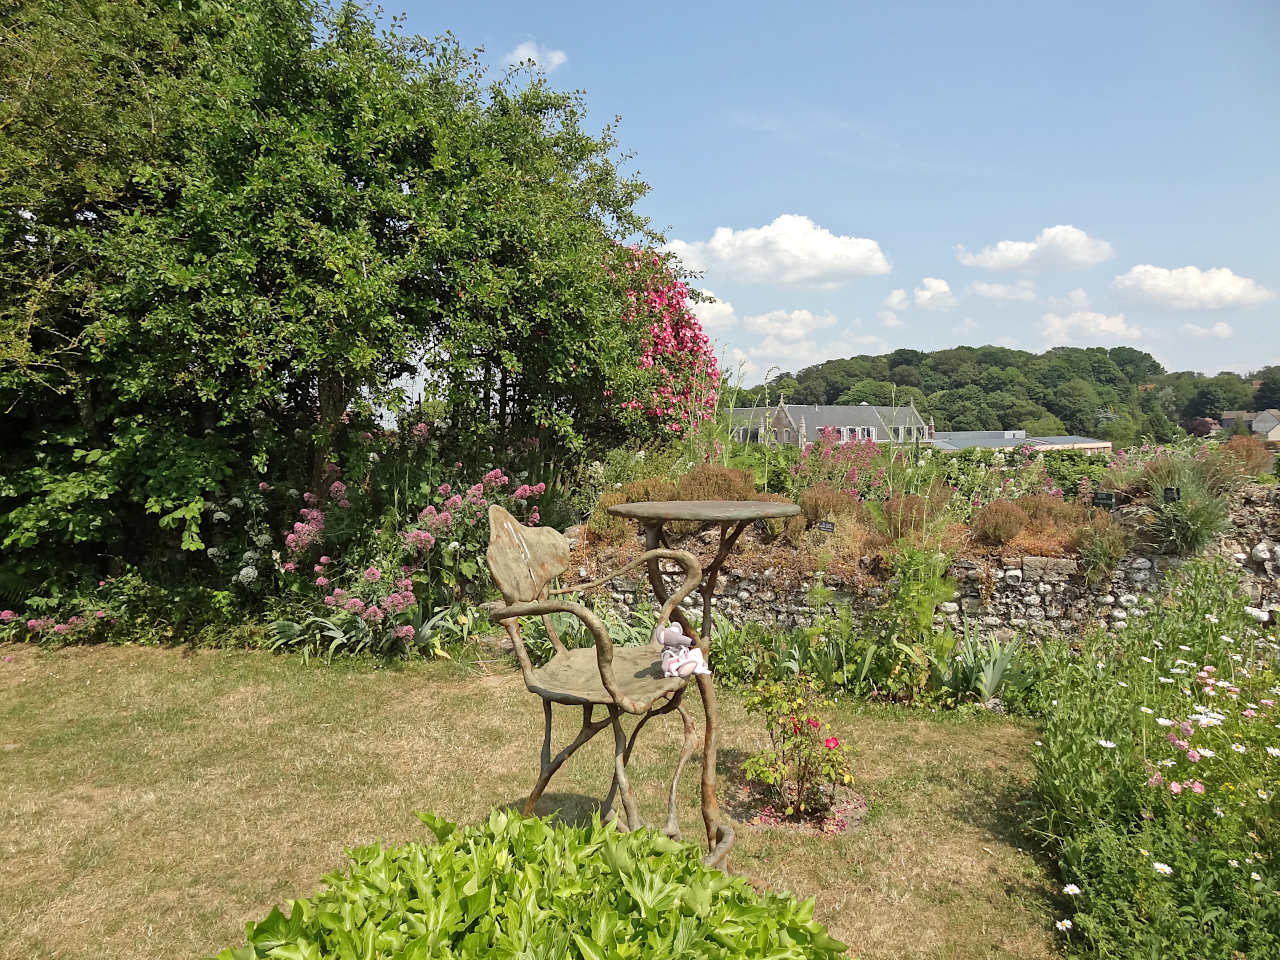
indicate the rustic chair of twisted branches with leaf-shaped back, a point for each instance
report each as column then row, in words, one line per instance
column 524, row 563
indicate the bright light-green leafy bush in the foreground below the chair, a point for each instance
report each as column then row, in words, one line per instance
column 522, row 888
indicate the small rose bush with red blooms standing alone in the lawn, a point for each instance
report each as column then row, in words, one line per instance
column 806, row 762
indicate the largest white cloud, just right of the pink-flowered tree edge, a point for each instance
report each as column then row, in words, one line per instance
column 792, row 250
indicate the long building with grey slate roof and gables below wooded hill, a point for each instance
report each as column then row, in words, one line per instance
column 797, row 426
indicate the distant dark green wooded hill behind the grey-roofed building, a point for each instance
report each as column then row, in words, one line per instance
column 1119, row 395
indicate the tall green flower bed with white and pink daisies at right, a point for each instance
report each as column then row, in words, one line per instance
column 1159, row 776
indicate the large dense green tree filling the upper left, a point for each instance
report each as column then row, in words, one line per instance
column 227, row 225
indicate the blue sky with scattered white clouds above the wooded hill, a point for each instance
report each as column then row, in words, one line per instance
column 854, row 179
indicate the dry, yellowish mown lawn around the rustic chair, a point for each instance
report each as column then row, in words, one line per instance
column 154, row 801
